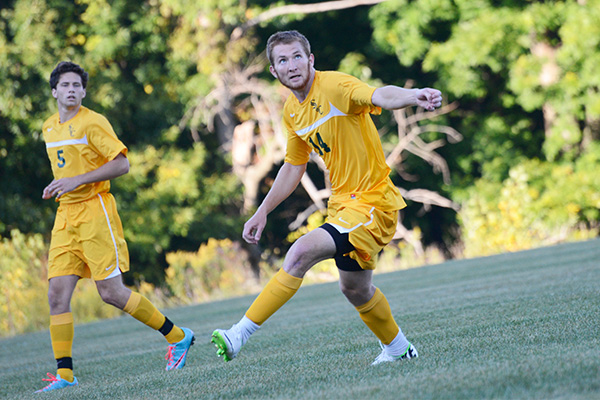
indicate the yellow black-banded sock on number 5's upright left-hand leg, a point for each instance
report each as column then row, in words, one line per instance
column 61, row 336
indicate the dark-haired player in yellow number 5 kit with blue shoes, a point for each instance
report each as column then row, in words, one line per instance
column 87, row 238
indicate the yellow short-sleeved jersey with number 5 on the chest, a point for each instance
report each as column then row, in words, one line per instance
column 82, row 144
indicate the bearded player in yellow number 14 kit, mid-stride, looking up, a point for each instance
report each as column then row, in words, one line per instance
column 328, row 112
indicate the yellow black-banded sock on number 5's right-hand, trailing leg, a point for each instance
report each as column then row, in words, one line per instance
column 144, row 311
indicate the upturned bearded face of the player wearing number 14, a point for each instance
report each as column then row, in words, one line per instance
column 292, row 66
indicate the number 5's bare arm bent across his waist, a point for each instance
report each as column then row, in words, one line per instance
column 112, row 169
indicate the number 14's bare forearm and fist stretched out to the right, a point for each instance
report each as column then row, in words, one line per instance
column 395, row 97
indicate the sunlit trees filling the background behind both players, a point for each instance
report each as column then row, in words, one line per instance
column 186, row 87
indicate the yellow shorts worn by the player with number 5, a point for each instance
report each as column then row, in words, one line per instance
column 88, row 241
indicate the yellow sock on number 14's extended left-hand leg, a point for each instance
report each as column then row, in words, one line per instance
column 275, row 294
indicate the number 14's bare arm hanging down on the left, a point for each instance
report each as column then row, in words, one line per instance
column 286, row 181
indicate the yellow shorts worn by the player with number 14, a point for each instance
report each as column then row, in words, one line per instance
column 369, row 229
